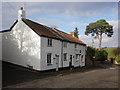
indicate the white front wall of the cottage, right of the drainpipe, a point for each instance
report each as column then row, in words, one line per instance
column 71, row 50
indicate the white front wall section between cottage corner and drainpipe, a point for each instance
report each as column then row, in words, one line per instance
column 55, row 49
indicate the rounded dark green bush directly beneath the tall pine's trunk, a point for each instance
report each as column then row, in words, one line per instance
column 101, row 55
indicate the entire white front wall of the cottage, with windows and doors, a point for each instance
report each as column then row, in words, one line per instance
column 57, row 49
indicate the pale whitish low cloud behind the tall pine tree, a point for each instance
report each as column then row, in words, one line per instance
column 106, row 41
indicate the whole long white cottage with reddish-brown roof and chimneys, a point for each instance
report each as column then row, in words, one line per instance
column 30, row 44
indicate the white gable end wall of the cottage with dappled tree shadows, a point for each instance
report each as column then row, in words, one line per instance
column 22, row 46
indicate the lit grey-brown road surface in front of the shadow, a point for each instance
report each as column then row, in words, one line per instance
column 97, row 78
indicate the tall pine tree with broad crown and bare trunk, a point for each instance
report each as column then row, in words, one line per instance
column 98, row 28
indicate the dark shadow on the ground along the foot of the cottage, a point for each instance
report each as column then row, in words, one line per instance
column 13, row 74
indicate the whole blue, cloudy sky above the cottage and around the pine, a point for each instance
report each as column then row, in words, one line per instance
column 66, row 16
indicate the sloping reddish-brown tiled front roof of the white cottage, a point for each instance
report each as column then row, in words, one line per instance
column 43, row 30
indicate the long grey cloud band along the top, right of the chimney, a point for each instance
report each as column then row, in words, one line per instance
column 71, row 10
